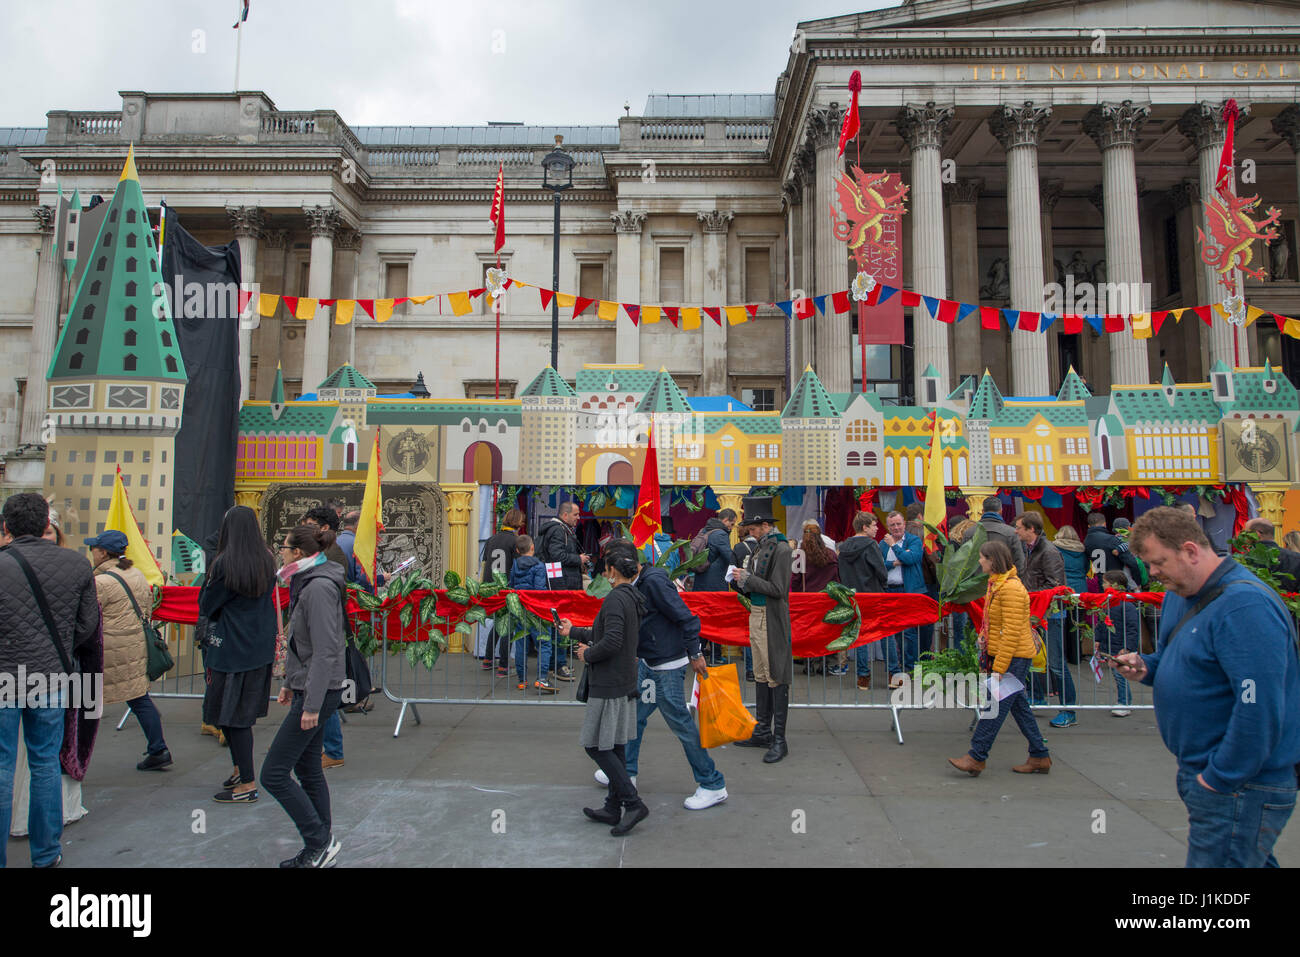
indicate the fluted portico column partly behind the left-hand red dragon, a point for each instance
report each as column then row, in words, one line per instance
column 833, row 356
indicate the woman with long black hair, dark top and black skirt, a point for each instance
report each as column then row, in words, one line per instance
column 239, row 599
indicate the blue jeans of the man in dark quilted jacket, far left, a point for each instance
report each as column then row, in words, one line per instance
column 44, row 734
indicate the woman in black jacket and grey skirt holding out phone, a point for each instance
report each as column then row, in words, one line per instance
column 609, row 649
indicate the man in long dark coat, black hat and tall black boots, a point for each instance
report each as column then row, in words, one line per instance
column 768, row 582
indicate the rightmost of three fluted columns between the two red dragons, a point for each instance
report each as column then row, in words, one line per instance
column 1113, row 127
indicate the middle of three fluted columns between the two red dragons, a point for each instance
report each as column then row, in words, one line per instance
column 1019, row 131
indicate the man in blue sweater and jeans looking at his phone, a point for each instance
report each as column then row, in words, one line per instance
column 1227, row 681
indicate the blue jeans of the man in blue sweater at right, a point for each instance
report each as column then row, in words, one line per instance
column 1234, row 830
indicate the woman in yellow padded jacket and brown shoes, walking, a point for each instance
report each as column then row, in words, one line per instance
column 1011, row 648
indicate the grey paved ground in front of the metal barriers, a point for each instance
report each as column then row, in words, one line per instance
column 848, row 796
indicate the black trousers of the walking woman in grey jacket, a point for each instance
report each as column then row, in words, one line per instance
column 294, row 750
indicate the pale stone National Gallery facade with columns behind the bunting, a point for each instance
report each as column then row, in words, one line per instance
column 1037, row 150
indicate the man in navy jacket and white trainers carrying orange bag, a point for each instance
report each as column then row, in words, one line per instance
column 669, row 643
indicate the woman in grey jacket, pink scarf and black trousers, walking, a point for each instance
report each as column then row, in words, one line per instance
column 314, row 687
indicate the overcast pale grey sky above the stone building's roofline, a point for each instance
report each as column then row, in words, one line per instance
column 402, row 62
